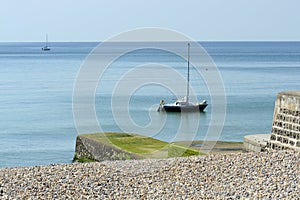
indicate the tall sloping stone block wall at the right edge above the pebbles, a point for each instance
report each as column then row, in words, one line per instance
column 286, row 122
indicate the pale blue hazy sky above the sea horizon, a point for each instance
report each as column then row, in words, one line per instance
column 97, row 20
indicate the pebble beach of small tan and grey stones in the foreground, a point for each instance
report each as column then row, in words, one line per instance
column 267, row 175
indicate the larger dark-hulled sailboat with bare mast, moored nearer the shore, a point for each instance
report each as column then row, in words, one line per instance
column 183, row 105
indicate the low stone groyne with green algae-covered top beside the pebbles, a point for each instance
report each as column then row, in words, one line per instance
column 123, row 146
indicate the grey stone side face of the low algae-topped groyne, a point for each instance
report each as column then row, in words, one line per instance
column 99, row 151
